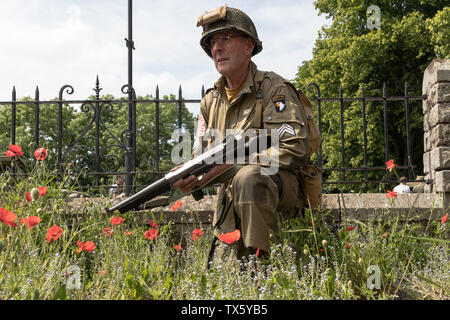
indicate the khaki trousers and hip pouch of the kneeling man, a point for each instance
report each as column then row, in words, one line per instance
column 254, row 203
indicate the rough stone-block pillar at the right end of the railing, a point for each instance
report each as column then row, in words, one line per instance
column 436, row 110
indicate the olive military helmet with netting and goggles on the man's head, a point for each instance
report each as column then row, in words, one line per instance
column 225, row 18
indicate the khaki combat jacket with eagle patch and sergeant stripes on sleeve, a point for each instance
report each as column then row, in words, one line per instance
column 280, row 110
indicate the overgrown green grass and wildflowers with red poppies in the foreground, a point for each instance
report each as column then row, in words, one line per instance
column 413, row 260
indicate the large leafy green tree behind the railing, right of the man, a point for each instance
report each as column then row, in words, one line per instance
column 348, row 53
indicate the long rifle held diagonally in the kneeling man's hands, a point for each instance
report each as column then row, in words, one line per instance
column 196, row 166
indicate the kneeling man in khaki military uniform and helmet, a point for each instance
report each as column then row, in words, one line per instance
column 246, row 98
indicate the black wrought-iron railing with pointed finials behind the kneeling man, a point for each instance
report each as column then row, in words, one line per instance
column 127, row 139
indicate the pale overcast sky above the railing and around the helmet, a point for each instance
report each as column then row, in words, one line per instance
column 51, row 43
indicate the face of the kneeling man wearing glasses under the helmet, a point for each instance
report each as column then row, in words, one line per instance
column 231, row 52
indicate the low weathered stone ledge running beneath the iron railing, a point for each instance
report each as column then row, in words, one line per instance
column 337, row 207
